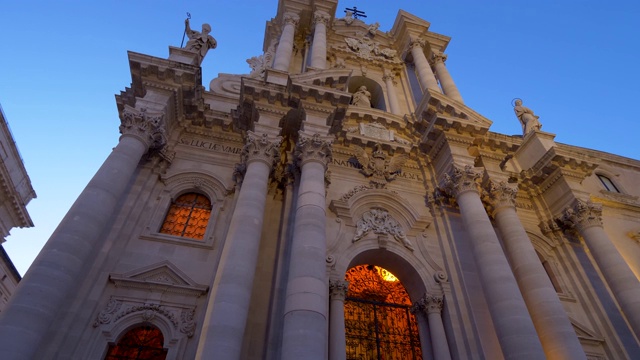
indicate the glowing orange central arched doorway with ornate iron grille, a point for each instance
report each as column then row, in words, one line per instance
column 378, row 321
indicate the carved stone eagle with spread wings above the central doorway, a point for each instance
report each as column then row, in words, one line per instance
column 381, row 169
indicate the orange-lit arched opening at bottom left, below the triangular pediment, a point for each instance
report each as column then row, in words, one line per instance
column 140, row 343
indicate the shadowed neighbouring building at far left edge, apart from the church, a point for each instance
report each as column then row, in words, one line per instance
column 15, row 194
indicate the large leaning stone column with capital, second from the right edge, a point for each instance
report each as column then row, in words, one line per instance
column 559, row 339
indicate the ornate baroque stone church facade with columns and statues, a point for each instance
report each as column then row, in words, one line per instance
column 339, row 202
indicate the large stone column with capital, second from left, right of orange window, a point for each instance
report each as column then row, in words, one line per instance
column 225, row 321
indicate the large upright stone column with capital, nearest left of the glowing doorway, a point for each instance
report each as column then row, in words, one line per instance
column 305, row 314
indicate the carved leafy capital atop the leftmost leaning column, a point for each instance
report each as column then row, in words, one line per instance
column 147, row 126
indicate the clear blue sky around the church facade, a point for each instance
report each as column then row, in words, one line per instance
column 575, row 63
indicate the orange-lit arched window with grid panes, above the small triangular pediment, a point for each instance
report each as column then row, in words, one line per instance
column 188, row 216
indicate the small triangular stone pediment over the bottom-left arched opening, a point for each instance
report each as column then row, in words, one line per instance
column 163, row 276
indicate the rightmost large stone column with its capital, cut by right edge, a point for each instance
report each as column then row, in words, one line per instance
column 586, row 217
